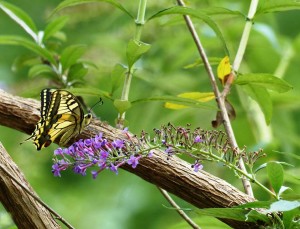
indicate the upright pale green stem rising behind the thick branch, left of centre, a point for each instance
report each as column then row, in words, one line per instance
column 139, row 22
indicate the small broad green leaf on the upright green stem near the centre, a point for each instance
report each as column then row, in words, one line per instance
column 135, row 49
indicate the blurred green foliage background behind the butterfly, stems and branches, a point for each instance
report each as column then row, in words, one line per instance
column 110, row 200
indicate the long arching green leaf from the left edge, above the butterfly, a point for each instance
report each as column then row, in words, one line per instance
column 17, row 40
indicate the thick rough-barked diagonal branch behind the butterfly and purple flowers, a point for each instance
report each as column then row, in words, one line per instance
column 201, row 189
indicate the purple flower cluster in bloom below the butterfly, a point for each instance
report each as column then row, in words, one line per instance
column 94, row 152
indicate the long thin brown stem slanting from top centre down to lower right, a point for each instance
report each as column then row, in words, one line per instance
column 220, row 100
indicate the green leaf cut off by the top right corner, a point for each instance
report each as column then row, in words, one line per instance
column 277, row 5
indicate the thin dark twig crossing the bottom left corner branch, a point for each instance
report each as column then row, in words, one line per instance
column 57, row 216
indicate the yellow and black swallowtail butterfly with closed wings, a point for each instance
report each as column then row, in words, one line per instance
column 62, row 118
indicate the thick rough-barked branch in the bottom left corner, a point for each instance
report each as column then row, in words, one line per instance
column 24, row 209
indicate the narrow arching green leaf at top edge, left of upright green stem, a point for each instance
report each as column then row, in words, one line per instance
column 69, row 3
